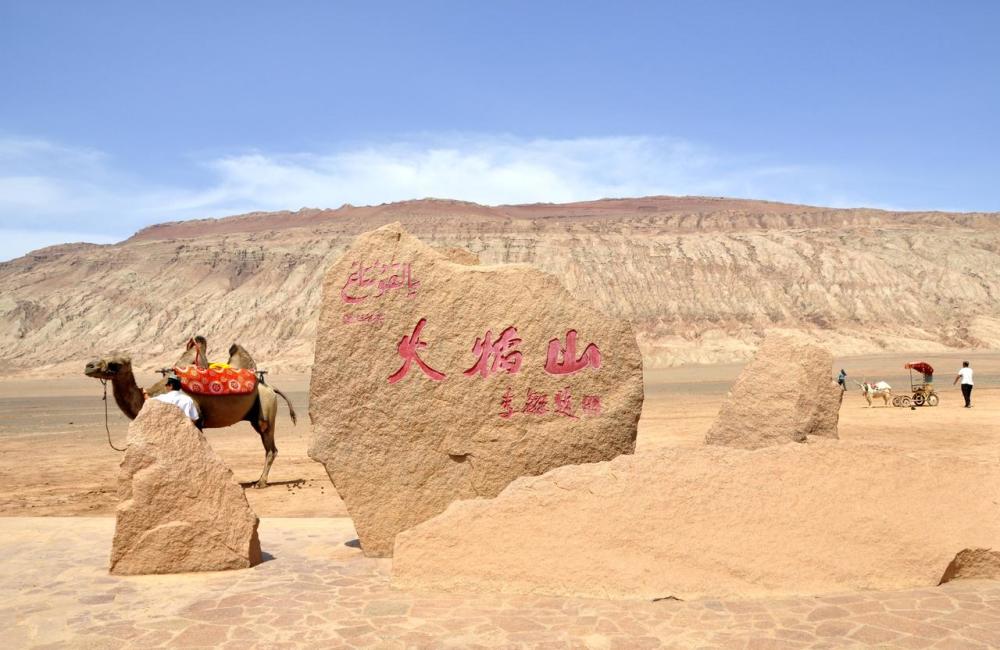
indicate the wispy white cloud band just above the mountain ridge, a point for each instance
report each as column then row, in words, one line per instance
column 49, row 188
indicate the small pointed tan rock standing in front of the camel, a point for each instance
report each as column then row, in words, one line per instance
column 180, row 507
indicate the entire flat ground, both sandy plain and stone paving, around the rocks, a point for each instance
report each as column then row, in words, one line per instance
column 316, row 587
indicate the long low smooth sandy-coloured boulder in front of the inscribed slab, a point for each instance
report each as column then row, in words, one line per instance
column 711, row 521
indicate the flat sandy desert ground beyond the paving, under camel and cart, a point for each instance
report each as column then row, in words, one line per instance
column 55, row 460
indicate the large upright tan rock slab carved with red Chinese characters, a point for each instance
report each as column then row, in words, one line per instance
column 436, row 380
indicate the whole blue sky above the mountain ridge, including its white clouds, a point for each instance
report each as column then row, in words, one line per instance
column 115, row 115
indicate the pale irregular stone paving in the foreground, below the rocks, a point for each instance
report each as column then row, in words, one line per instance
column 316, row 590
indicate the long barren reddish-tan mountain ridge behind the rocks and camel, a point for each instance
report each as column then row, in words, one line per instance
column 701, row 279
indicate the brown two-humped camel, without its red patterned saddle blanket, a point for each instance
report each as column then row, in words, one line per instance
column 259, row 408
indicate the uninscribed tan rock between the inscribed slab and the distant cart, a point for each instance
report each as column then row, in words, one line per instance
column 784, row 394
